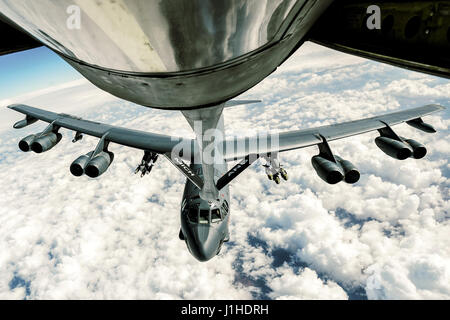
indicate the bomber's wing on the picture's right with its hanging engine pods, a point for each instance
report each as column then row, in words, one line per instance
column 329, row 167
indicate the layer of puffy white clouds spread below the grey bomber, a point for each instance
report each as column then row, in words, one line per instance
column 117, row 237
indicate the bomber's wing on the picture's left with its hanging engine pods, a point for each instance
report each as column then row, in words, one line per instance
column 100, row 159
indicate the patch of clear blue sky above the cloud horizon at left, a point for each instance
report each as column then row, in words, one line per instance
column 32, row 70
